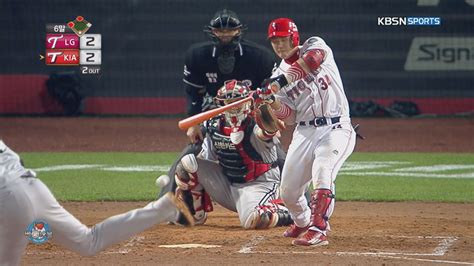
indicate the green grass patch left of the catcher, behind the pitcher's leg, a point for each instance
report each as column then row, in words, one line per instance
column 95, row 185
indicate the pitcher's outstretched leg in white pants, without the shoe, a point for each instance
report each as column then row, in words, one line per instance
column 72, row 234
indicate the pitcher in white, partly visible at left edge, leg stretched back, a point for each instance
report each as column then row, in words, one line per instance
column 24, row 199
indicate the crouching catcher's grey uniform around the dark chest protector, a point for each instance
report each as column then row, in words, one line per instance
column 240, row 197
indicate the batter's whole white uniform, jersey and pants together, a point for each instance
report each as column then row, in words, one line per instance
column 316, row 153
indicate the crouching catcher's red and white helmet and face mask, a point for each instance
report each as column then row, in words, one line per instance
column 232, row 91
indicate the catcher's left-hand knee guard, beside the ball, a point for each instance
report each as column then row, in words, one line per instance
column 186, row 173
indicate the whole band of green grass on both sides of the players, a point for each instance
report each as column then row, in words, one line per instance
column 96, row 184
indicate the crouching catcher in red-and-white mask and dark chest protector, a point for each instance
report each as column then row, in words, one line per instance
column 237, row 165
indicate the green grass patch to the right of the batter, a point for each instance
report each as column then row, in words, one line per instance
column 396, row 188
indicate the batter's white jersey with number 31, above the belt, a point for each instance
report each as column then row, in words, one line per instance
column 320, row 93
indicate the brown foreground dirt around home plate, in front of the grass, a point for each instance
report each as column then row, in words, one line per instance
column 364, row 233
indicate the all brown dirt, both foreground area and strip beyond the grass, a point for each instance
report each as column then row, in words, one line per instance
column 363, row 232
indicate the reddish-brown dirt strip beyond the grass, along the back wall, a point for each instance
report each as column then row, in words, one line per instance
column 155, row 134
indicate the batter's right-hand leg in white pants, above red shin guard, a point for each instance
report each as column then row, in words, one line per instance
column 331, row 152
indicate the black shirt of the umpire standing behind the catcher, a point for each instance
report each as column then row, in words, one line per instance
column 253, row 64
